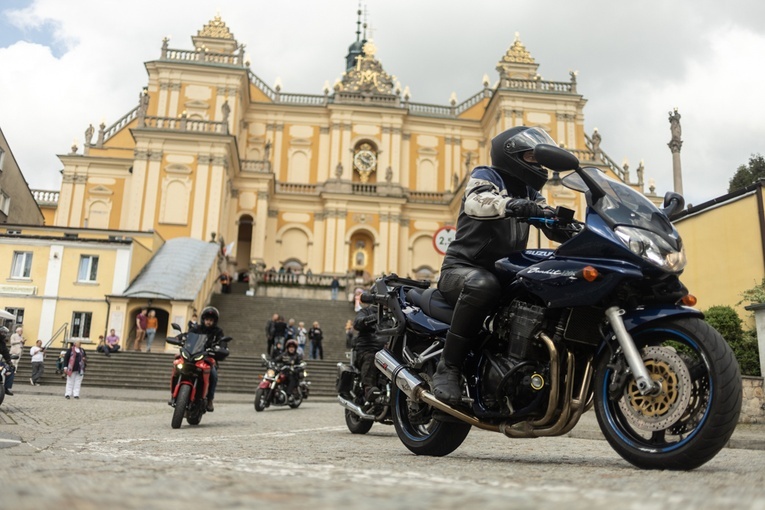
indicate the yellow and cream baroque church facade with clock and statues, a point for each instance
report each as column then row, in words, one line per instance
column 356, row 179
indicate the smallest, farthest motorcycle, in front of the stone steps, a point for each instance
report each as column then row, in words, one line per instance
column 272, row 389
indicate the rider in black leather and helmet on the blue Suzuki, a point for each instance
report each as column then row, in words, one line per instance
column 488, row 228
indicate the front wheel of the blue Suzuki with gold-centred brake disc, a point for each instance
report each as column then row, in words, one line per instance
column 693, row 416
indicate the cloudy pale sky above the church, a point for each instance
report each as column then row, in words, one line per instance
column 65, row 64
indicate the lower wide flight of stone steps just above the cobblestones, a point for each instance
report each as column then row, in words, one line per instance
column 142, row 370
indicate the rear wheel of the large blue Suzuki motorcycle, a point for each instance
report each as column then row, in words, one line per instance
column 420, row 433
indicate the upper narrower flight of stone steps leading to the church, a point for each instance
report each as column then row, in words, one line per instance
column 244, row 318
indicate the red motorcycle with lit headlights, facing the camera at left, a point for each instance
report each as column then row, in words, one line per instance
column 191, row 374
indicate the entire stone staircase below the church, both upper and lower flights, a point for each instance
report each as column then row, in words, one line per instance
column 243, row 318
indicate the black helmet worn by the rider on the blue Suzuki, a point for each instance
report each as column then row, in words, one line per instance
column 507, row 150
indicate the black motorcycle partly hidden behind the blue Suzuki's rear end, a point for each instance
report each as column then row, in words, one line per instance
column 361, row 414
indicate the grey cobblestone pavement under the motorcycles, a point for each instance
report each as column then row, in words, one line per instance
column 116, row 449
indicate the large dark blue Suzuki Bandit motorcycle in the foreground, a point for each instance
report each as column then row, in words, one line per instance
column 603, row 321
